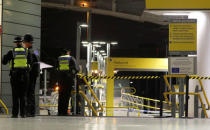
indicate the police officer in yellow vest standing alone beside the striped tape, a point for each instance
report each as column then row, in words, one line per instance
column 67, row 70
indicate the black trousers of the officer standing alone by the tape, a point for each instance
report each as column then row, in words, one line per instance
column 66, row 81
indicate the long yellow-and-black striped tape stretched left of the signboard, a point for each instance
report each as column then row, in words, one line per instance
column 119, row 77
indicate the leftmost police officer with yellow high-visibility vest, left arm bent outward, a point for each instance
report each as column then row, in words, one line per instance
column 19, row 59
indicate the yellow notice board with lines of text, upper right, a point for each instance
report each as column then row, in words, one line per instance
column 183, row 37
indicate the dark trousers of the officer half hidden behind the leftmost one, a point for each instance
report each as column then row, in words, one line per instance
column 31, row 106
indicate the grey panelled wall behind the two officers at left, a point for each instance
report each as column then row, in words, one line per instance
column 18, row 18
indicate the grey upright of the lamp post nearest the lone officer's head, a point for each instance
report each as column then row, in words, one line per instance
column 78, row 42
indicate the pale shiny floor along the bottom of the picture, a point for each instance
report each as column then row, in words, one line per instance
column 91, row 123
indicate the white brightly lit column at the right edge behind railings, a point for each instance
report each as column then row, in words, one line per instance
column 203, row 45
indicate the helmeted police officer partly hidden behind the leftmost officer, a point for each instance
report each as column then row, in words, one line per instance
column 33, row 74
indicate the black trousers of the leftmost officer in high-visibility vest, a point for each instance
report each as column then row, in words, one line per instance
column 19, row 81
